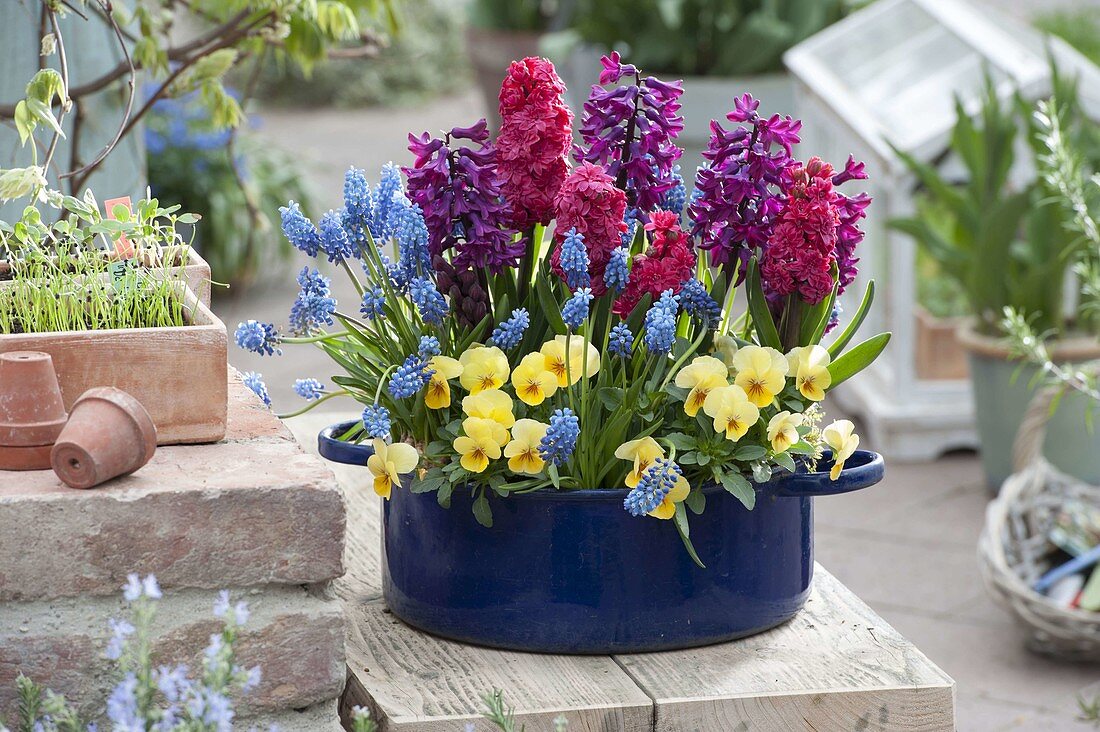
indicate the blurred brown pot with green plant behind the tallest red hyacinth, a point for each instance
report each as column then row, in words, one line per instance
column 500, row 31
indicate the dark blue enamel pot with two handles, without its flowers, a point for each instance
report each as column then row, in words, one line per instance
column 573, row 572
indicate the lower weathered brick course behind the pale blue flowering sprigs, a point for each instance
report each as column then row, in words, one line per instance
column 295, row 638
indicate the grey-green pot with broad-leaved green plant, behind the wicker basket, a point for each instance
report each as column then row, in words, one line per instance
column 1013, row 244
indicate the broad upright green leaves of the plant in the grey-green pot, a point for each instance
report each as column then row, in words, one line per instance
column 1004, row 245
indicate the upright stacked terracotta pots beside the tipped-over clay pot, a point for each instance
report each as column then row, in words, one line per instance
column 32, row 412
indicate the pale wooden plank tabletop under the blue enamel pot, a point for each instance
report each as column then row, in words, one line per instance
column 837, row 667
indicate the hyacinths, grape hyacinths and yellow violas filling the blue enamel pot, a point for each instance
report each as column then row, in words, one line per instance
column 574, row 352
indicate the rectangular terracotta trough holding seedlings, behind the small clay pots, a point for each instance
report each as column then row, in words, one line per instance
column 180, row 375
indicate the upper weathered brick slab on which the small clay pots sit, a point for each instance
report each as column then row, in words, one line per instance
column 252, row 510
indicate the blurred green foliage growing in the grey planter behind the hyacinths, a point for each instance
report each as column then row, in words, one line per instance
column 705, row 38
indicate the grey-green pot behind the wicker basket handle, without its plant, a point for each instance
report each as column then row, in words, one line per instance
column 1002, row 395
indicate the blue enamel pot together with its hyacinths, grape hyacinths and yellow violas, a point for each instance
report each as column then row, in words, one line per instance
column 584, row 445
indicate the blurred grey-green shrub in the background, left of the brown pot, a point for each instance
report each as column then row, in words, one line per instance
column 426, row 58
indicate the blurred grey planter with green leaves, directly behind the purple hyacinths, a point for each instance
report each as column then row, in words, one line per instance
column 720, row 49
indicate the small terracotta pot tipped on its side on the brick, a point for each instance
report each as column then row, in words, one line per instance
column 109, row 434
